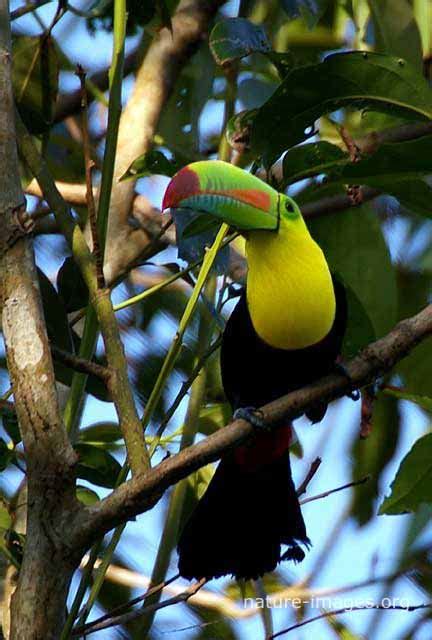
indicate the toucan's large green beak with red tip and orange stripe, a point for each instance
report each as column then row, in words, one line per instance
column 224, row 192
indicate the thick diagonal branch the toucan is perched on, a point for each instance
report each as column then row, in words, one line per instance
column 141, row 493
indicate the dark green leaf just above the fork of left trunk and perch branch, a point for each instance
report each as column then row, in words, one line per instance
column 96, row 465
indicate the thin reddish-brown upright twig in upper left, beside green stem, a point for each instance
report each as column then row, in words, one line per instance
column 89, row 165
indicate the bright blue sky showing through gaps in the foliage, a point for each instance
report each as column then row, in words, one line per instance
column 358, row 553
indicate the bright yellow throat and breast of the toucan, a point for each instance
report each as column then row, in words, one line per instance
column 290, row 292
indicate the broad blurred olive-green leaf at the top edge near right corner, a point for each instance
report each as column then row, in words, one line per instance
column 396, row 31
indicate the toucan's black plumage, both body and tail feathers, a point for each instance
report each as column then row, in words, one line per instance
column 251, row 507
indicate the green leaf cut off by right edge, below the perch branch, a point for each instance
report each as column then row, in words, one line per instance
column 412, row 485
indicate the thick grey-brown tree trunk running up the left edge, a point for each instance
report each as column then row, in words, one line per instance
column 38, row 603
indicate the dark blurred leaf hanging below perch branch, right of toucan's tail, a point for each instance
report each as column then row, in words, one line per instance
column 371, row 456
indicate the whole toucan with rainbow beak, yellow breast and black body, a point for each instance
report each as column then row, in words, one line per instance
column 286, row 331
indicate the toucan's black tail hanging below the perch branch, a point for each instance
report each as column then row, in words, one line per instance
column 249, row 510
